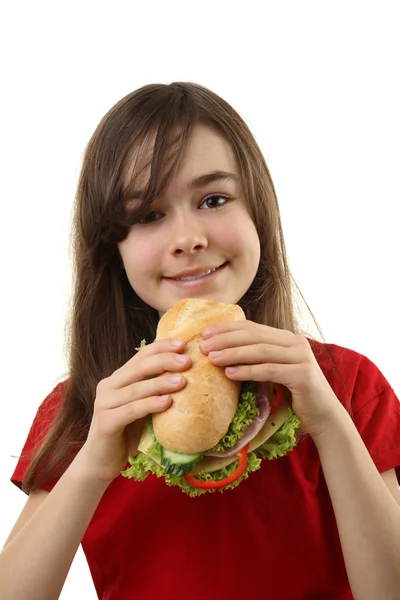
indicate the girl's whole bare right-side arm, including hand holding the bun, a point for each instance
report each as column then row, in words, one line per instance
column 367, row 514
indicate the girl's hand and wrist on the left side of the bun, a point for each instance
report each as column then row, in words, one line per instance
column 138, row 388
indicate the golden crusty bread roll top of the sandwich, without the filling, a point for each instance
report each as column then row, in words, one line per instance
column 202, row 411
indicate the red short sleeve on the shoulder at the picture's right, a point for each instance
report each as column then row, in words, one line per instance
column 377, row 417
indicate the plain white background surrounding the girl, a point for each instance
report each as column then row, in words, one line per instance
column 318, row 84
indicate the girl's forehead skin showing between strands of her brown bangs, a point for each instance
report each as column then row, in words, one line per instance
column 206, row 151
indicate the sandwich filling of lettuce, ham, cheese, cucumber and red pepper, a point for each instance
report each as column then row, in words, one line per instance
column 257, row 431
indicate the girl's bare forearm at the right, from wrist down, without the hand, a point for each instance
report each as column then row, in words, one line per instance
column 367, row 514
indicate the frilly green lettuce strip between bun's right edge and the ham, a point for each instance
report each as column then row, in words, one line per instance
column 246, row 411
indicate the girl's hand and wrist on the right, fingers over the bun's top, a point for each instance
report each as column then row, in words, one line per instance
column 253, row 352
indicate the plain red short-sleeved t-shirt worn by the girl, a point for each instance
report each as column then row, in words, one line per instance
column 274, row 536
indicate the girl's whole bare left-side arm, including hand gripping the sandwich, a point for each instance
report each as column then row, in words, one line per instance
column 35, row 561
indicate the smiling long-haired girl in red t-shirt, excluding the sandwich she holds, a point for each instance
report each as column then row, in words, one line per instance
column 174, row 185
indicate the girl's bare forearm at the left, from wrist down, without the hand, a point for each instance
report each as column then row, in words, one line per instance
column 35, row 562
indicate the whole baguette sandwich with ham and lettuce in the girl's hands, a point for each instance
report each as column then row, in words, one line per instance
column 216, row 431
